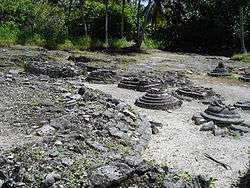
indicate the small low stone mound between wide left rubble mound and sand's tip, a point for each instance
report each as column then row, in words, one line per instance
column 103, row 76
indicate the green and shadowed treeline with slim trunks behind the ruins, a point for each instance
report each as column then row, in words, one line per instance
column 202, row 26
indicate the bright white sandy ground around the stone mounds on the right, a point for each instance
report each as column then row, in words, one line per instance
column 181, row 145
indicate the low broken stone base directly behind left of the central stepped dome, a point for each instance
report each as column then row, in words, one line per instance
column 138, row 84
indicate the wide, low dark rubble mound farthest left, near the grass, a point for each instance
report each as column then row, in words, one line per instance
column 54, row 69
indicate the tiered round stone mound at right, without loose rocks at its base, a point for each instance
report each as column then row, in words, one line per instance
column 222, row 114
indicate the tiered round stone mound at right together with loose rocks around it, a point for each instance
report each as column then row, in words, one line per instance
column 221, row 119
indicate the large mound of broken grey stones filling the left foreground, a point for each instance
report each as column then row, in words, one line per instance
column 96, row 142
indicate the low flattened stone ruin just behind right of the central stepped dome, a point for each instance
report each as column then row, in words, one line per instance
column 196, row 92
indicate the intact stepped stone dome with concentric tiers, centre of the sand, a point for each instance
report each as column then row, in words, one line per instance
column 158, row 99
